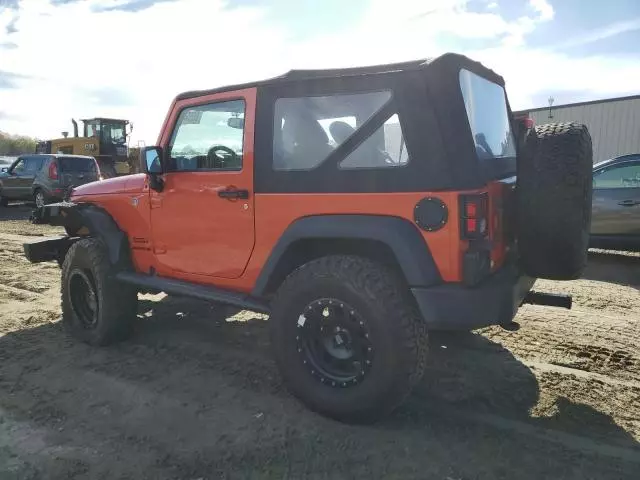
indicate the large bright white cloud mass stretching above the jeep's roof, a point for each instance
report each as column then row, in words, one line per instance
column 77, row 60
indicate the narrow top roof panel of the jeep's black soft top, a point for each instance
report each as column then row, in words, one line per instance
column 446, row 62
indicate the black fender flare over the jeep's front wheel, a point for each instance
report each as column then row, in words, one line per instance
column 87, row 220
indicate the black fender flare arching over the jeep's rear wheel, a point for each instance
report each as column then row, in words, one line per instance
column 401, row 236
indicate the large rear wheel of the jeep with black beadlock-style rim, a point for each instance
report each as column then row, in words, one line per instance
column 347, row 339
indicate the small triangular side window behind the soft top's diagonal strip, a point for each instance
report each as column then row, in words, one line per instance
column 384, row 149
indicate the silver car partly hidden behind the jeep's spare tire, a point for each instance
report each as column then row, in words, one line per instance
column 615, row 220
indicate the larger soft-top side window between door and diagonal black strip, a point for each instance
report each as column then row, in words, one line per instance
column 308, row 129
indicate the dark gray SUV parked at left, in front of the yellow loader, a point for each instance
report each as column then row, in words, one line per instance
column 45, row 178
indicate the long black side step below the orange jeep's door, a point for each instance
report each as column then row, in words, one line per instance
column 193, row 290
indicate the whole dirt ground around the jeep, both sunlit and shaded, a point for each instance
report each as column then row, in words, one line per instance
column 195, row 394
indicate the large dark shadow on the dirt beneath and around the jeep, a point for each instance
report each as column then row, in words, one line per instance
column 195, row 394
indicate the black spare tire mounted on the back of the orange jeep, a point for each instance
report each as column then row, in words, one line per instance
column 553, row 191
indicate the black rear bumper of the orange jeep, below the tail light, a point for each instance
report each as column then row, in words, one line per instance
column 494, row 301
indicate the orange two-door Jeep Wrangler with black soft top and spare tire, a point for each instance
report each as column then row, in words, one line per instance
column 360, row 208
